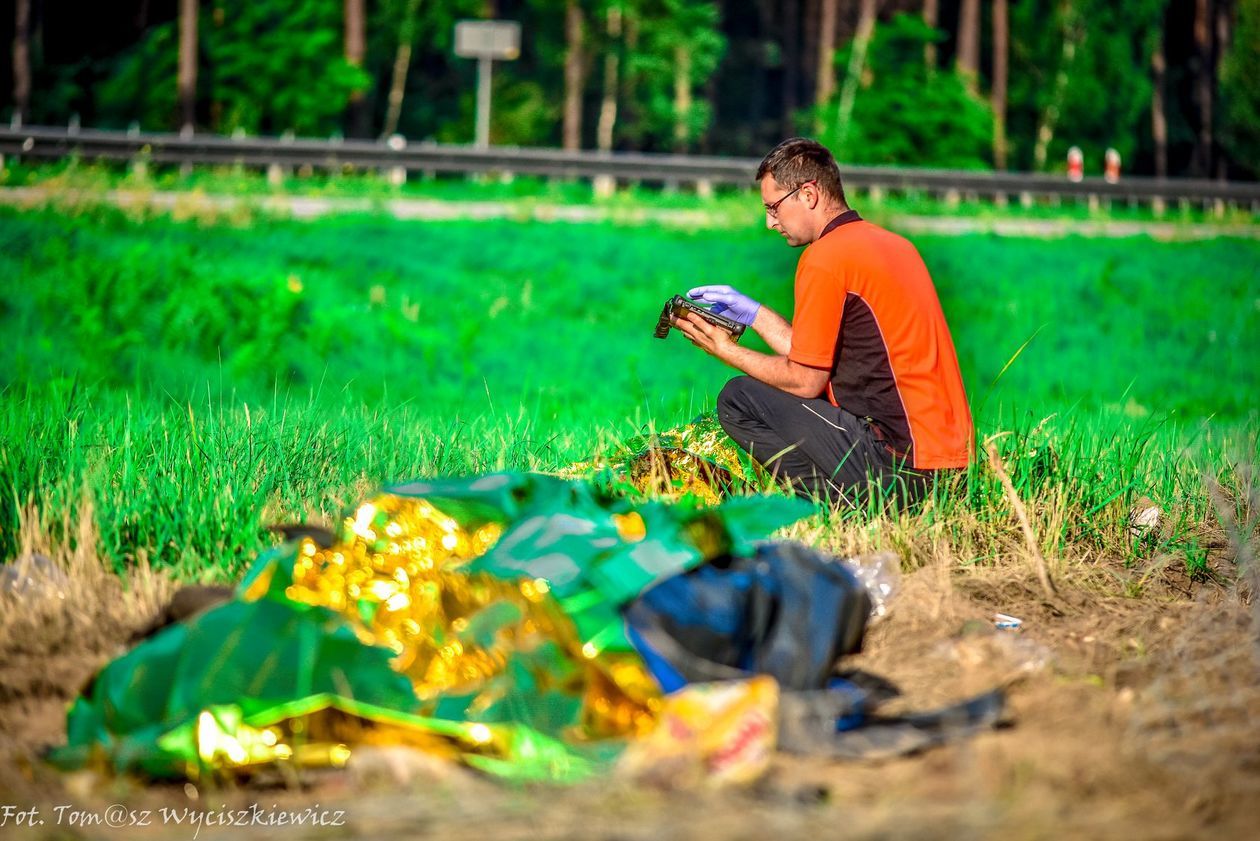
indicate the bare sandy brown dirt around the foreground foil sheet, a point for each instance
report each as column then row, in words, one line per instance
column 1128, row 718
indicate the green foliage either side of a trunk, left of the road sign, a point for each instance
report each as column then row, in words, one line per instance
column 254, row 72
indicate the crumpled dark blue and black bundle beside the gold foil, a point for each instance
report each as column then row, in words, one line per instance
column 791, row 612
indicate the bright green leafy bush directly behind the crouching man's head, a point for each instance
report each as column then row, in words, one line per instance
column 905, row 115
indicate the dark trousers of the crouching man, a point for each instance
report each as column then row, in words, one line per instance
column 823, row 451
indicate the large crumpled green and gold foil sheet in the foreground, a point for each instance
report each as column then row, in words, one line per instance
column 478, row 620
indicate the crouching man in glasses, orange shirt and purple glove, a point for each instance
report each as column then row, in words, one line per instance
column 864, row 385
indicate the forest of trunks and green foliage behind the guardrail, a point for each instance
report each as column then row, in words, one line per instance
column 1171, row 85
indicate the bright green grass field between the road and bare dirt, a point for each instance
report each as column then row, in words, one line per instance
column 192, row 383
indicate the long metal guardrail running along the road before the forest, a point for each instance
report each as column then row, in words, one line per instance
column 54, row 143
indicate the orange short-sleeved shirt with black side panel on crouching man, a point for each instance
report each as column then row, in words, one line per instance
column 868, row 312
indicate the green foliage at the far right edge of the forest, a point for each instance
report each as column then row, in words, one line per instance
column 1240, row 90
